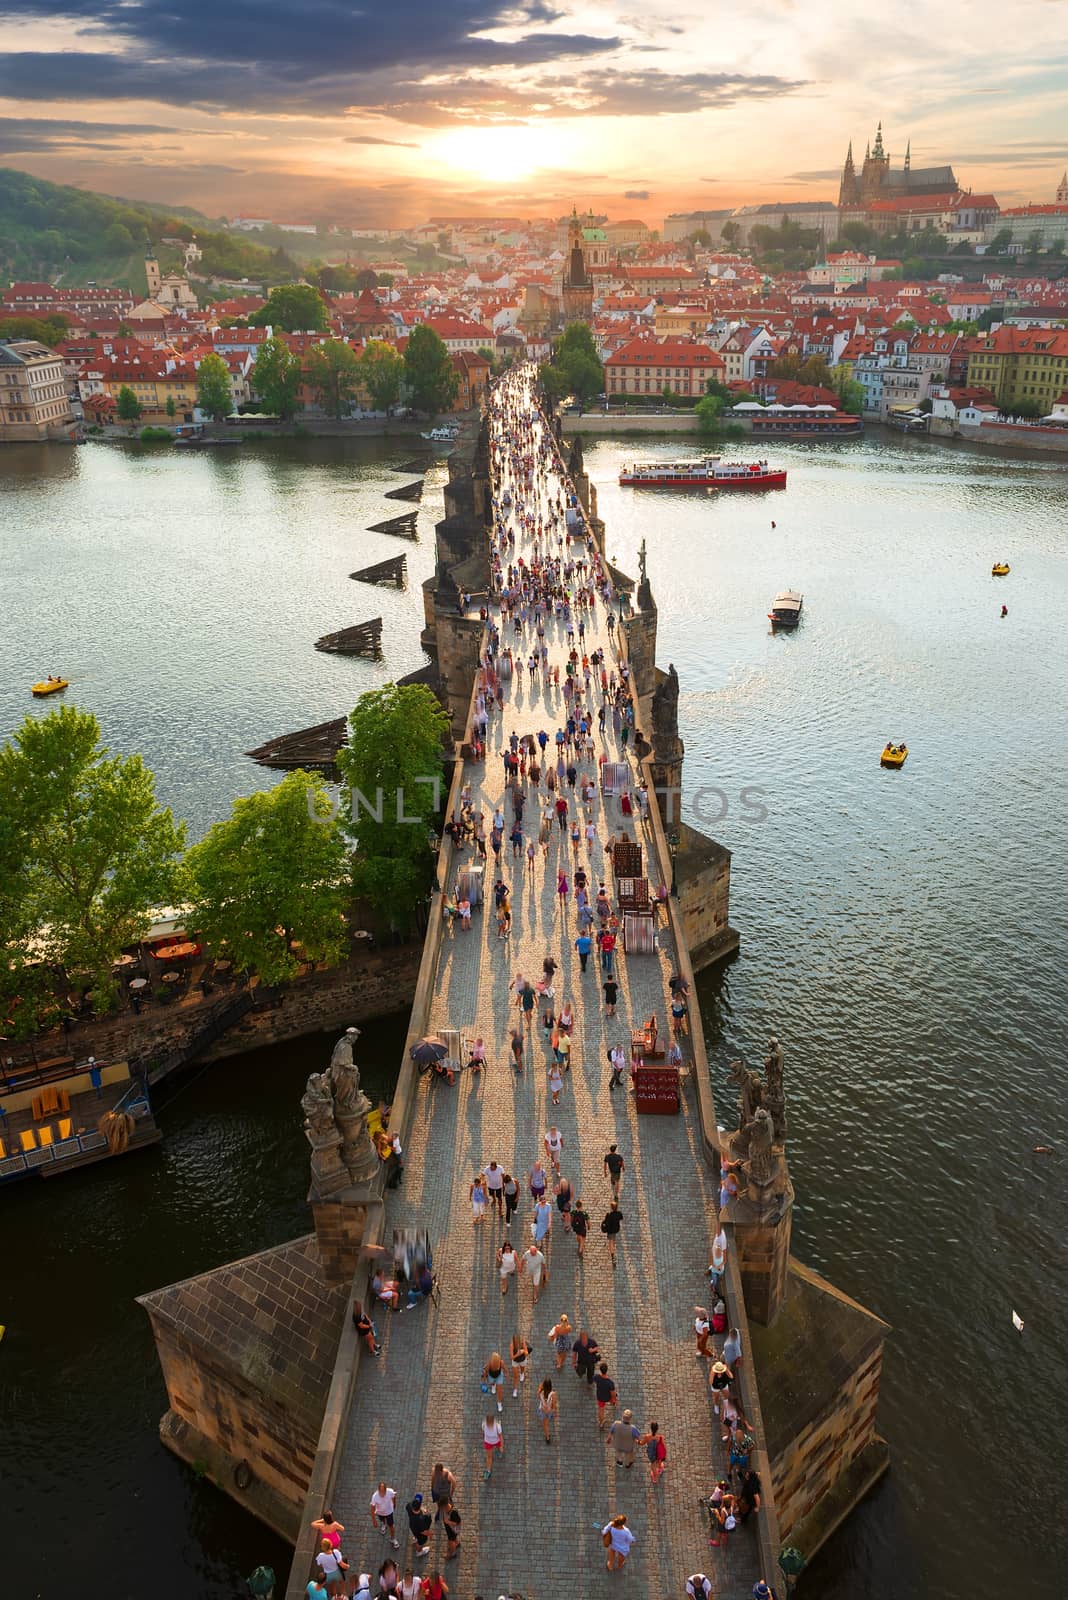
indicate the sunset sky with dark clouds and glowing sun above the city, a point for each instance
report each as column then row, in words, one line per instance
column 385, row 113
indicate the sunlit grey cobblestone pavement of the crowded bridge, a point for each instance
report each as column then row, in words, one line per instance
column 535, row 1527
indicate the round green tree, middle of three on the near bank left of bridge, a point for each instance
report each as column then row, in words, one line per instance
column 276, row 871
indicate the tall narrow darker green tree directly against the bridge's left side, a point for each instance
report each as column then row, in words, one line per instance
column 391, row 774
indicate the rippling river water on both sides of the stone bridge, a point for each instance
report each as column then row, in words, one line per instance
column 901, row 932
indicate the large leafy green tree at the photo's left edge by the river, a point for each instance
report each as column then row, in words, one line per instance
column 95, row 849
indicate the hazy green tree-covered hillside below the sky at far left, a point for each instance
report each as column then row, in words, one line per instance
column 73, row 236
